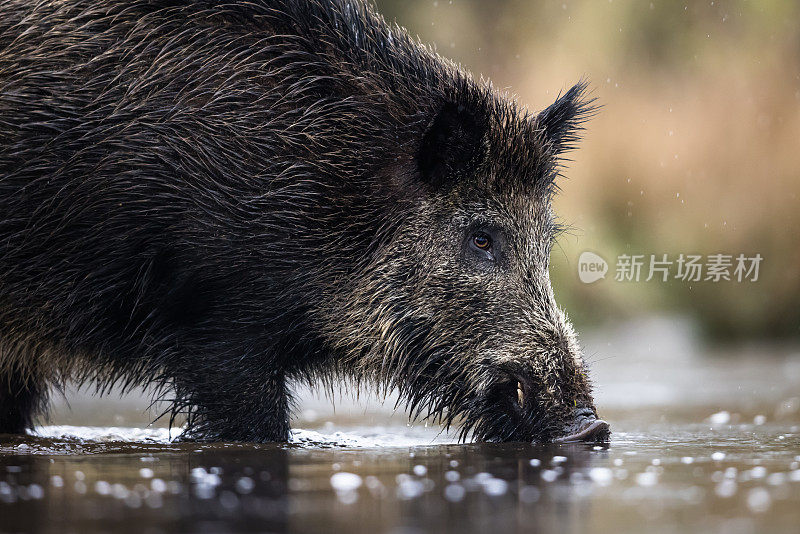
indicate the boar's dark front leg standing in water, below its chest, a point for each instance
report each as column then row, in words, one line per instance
column 232, row 401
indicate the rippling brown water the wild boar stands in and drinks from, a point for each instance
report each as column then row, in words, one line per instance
column 703, row 441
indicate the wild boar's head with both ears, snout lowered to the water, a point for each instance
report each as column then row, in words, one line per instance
column 456, row 309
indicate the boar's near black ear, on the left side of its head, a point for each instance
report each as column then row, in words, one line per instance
column 452, row 145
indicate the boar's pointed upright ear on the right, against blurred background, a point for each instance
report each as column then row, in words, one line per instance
column 560, row 123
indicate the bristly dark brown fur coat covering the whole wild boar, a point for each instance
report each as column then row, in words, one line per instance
column 222, row 198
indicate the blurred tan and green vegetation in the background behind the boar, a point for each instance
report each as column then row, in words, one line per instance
column 696, row 149
